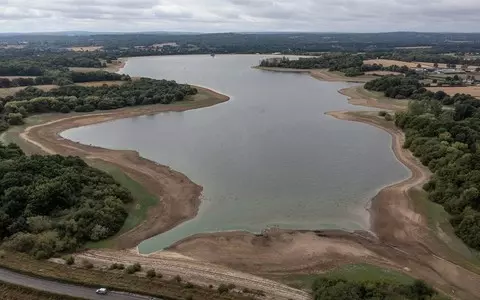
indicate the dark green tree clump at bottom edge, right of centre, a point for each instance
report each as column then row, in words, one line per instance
column 340, row 289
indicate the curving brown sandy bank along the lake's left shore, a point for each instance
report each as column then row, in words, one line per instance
column 178, row 195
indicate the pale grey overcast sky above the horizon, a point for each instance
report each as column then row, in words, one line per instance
column 240, row 15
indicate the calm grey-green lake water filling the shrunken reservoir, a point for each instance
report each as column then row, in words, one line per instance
column 268, row 157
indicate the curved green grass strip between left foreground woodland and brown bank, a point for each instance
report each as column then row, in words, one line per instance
column 137, row 211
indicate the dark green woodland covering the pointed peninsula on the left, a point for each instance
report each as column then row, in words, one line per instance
column 76, row 98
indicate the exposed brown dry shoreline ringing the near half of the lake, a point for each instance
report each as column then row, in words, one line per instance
column 400, row 231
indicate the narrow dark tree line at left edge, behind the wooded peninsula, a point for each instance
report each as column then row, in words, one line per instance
column 62, row 78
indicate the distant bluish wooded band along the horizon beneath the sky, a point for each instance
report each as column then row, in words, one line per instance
column 255, row 42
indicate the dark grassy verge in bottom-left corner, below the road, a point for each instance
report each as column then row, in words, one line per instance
column 15, row 292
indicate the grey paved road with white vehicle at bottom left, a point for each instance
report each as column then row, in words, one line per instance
column 63, row 288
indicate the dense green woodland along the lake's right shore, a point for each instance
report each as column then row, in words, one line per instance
column 447, row 141
